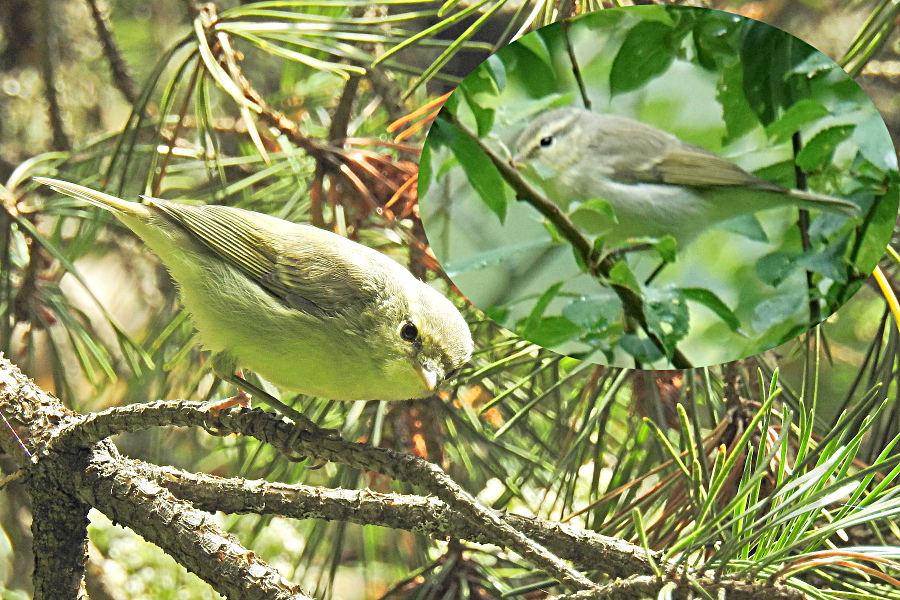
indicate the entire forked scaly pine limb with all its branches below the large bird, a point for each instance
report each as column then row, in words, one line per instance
column 67, row 454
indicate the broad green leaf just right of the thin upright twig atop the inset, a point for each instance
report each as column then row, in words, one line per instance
column 646, row 52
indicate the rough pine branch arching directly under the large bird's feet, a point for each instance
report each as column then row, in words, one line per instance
column 68, row 432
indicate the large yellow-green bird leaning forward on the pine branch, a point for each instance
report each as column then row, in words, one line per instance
column 307, row 309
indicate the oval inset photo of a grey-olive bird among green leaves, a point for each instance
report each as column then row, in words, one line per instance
column 658, row 187
